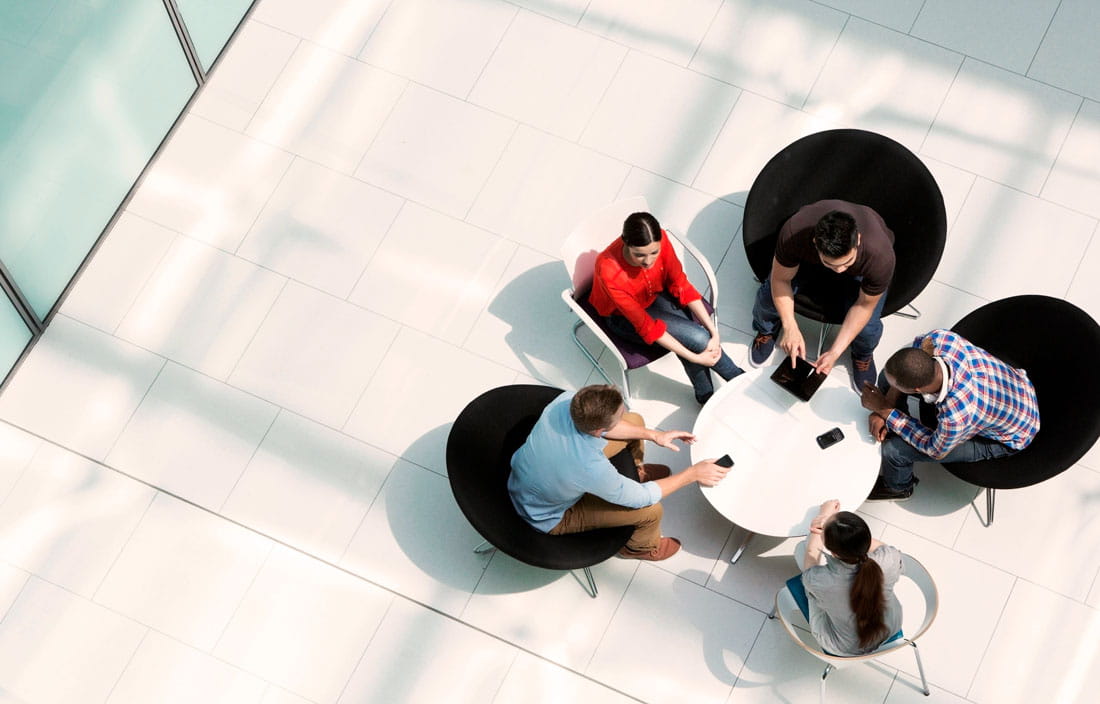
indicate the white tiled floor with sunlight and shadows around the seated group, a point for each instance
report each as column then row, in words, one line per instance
column 222, row 470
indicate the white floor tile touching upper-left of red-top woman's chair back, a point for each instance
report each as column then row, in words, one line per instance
column 536, row 194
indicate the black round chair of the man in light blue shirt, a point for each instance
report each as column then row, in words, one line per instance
column 479, row 453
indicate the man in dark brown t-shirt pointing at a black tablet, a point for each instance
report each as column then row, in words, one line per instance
column 842, row 256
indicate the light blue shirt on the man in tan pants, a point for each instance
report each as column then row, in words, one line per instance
column 558, row 465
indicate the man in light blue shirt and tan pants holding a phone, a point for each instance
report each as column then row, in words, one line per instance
column 563, row 479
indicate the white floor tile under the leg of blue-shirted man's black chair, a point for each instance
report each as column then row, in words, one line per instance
column 549, row 612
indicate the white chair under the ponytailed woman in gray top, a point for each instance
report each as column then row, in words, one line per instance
column 797, row 628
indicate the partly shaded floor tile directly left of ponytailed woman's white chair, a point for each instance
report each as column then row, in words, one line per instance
column 701, row 652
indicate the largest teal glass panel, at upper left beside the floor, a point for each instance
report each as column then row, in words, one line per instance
column 89, row 90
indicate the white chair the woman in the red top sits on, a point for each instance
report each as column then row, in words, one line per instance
column 579, row 254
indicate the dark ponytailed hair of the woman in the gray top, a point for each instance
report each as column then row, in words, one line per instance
column 849, row 538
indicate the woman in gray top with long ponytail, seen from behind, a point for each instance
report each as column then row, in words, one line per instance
column 853, row 608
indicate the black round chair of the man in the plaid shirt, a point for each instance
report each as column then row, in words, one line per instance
column 1020, row 331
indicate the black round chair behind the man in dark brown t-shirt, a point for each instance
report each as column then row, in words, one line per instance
column 862, row 168
